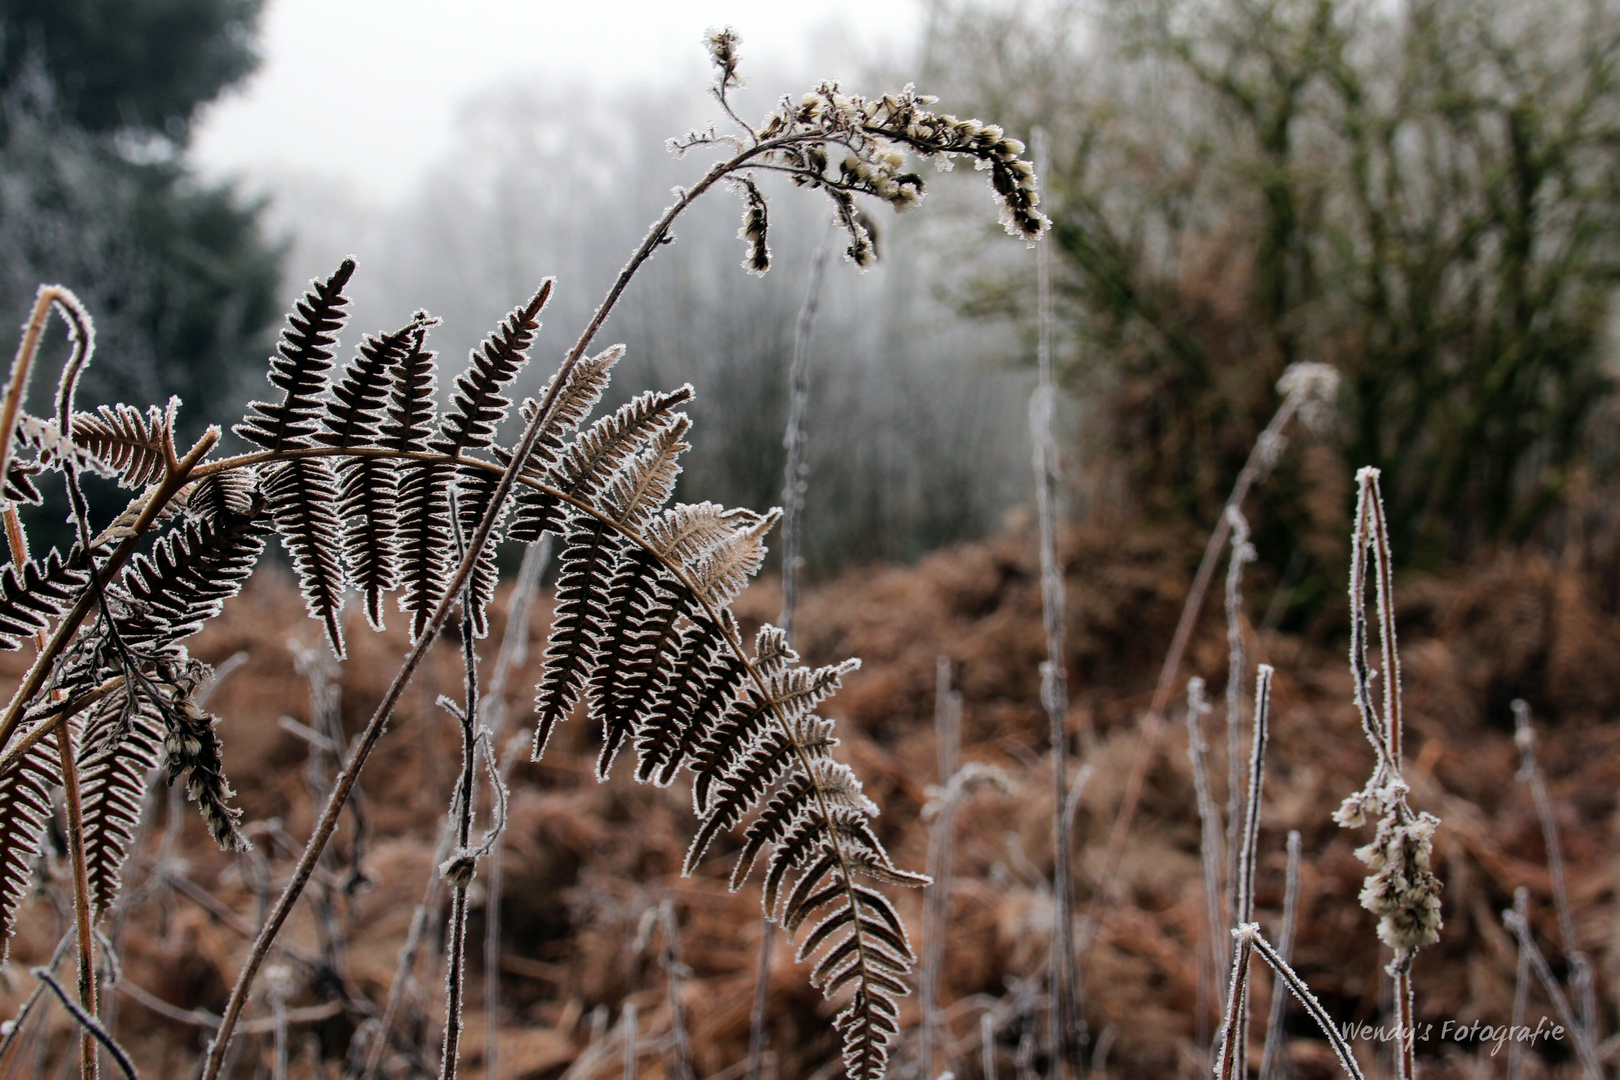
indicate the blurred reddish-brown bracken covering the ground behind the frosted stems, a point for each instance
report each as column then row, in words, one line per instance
column 586, row 862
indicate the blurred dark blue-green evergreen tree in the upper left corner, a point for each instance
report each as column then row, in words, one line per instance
column 95, row 193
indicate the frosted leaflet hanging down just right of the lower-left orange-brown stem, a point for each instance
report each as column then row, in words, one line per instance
column 119, row 750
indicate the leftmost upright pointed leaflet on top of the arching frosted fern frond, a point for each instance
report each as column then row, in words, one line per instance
column 301, row 367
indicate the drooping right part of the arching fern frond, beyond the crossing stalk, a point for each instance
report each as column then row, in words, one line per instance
column 644, row 636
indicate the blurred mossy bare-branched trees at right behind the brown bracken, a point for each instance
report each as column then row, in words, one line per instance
column 1425, row 195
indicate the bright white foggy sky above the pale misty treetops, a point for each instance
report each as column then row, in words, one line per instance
column 370, row 91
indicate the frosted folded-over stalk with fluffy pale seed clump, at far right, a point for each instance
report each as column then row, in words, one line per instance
column 1402, row 890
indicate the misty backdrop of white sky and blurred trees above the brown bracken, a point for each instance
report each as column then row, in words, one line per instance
column 1422, row 195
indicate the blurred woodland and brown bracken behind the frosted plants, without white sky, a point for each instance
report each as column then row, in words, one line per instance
column 1423, row 195
